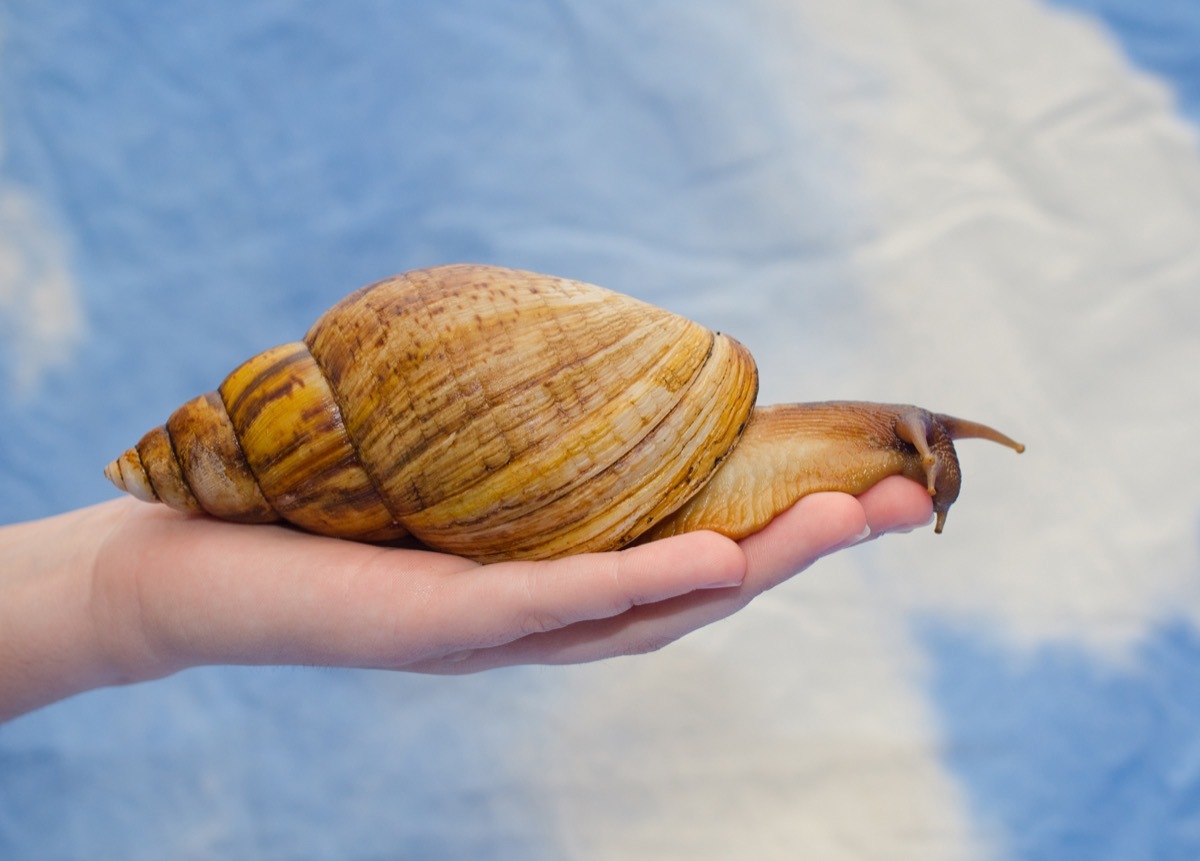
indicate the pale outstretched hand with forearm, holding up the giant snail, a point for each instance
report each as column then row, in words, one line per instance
column 125, row 593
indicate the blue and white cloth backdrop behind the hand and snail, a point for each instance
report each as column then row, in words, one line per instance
column 184, row 188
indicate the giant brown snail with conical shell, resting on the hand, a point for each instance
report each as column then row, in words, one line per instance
column 500, row 414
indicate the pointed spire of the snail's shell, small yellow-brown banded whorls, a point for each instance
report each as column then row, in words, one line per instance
column 268, row 445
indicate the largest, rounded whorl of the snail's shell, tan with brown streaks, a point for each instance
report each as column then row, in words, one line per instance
column 527, row 416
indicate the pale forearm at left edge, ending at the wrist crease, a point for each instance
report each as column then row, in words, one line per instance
column 50, row 643
